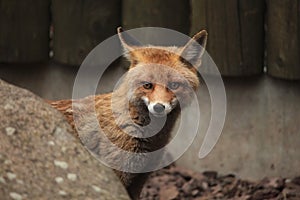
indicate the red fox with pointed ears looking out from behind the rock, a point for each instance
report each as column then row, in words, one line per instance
column 158, row 80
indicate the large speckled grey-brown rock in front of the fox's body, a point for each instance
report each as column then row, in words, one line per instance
column 40, row 159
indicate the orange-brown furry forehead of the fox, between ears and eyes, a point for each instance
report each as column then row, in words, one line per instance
column 158, row 64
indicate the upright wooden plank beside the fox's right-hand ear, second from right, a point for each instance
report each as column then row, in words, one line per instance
column 235, row 33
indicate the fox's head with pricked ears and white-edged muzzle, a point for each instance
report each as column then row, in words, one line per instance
column 162, row 78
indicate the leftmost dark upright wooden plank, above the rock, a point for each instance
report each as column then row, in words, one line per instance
column 24, row 30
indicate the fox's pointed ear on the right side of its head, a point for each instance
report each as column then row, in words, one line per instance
column 194, row 49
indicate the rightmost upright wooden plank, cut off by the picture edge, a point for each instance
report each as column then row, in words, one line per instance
column 283, row 38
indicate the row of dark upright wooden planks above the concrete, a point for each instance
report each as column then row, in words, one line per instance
column 241, row 32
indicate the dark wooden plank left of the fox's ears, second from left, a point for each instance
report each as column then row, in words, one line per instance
column 80, row 25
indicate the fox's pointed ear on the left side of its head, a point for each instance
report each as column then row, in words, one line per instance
column 128, row 42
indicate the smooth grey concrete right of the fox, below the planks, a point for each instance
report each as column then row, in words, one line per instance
column 261, row 136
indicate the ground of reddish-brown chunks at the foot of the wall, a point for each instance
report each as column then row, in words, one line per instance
column 178, row 183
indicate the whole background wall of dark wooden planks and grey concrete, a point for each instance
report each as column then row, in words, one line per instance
column 255, row 44
